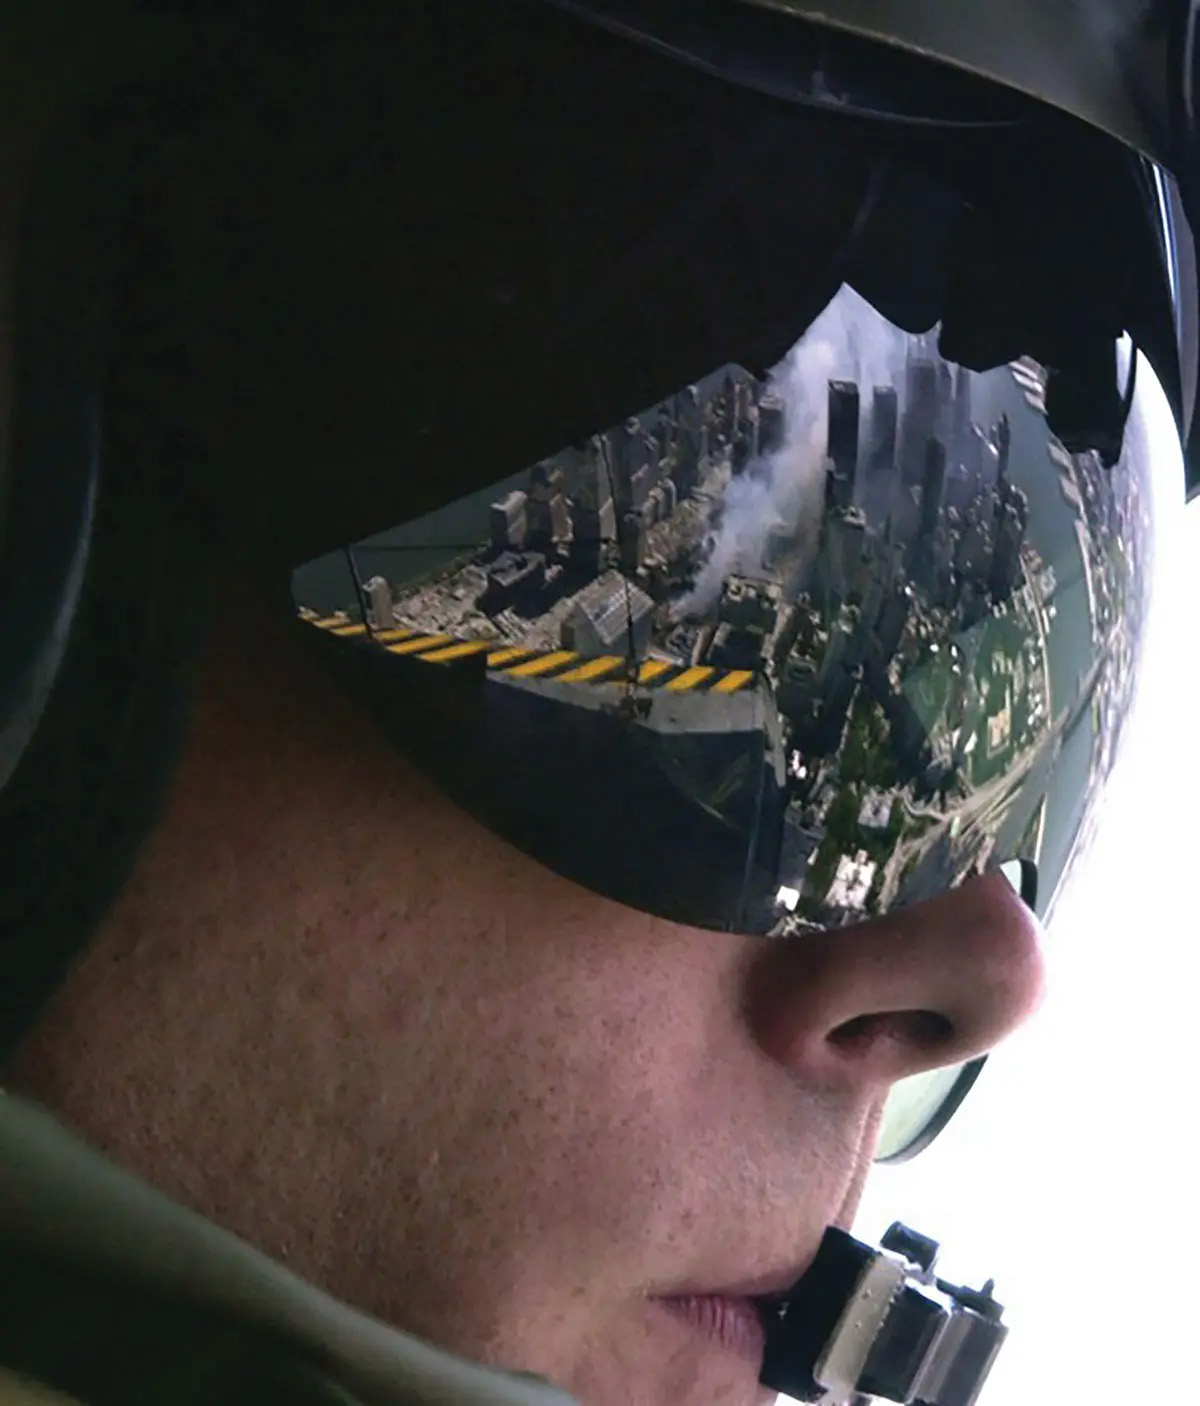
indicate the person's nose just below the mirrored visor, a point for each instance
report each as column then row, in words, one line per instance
column 932, row 985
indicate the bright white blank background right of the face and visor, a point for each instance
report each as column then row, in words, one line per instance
column 1071, row 1172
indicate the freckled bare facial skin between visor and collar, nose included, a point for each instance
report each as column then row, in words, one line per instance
column 338, row 1017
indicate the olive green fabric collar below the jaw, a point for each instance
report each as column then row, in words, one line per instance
column 65, row 1207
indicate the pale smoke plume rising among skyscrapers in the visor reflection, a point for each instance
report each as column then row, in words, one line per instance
column 850, row 341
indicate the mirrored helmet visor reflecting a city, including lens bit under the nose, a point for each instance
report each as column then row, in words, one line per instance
column 774, row 656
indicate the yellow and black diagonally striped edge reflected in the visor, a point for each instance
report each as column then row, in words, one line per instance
column 523, row 663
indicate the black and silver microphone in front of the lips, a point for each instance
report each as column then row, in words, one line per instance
column 876, row 1324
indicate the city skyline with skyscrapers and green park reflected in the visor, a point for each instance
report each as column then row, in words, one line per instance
column 905, row 632
